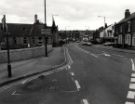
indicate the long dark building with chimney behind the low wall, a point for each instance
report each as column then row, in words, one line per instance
column 25, row 35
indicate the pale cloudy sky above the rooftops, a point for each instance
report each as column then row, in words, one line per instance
column 68, row 14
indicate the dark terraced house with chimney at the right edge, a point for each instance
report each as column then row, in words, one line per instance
column 125, row 30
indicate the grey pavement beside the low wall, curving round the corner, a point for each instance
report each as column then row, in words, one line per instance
column 27, row 68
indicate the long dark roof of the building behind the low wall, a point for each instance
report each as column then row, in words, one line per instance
column 24, row 29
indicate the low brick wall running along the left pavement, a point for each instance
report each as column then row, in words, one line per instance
column 23, row 54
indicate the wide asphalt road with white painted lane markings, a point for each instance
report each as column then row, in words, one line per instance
column 93, row 76
